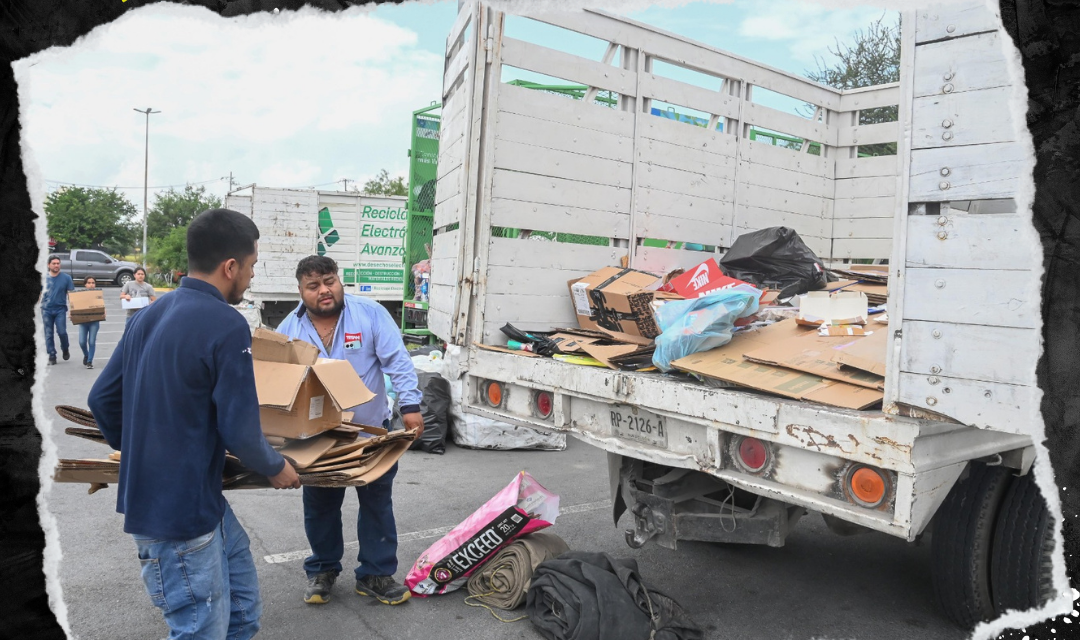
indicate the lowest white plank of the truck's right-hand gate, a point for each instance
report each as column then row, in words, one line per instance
column 987, row 405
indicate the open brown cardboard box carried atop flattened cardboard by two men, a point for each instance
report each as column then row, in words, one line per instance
column 302, row 396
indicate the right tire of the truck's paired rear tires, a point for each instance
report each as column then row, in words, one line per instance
column 1022, row 571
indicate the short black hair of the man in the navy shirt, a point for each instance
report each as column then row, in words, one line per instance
column 217, row 236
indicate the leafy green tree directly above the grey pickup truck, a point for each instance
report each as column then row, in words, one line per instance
column 79, row 217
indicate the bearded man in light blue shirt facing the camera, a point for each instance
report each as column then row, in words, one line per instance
column 361, row 332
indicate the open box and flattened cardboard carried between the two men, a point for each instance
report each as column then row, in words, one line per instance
column 303, row 410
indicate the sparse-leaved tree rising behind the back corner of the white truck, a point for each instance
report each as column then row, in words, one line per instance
column 872, row 59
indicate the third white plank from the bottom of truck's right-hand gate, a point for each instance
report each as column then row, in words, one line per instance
column 996, row 298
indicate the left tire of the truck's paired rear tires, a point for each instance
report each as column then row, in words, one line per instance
column 962, row 544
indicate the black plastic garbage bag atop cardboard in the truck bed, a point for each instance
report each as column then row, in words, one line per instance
column 776, row 258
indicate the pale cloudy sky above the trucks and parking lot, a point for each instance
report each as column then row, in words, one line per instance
column 303, row 100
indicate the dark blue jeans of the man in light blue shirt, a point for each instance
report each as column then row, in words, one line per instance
column 376, row 528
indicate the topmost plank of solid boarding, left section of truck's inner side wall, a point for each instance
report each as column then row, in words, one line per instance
column 555, row 108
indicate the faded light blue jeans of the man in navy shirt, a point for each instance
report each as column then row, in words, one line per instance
column 207, row 588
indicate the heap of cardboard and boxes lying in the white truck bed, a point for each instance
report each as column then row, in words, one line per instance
column 826, row 347
